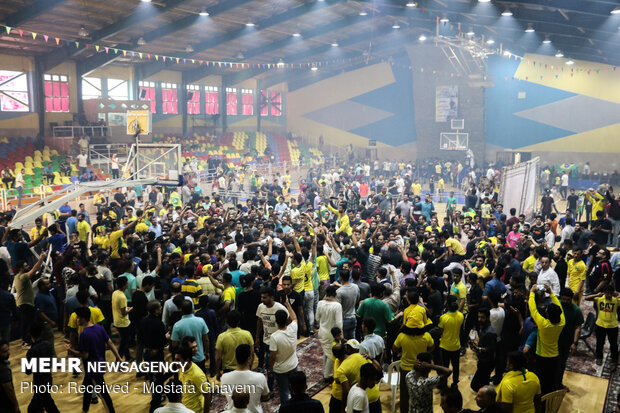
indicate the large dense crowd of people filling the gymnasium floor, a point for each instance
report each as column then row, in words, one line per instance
column 361, row 256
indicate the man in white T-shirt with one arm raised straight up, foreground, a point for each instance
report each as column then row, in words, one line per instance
column 283, row 349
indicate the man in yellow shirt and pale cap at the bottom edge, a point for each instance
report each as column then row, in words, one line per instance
column 348, row 374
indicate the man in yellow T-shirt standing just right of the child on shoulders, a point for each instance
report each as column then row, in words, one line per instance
column 450, row 343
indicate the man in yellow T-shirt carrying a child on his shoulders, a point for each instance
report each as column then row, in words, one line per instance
column 412, row 342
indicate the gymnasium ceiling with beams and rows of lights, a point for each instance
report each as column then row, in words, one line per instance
column 581, row 29
